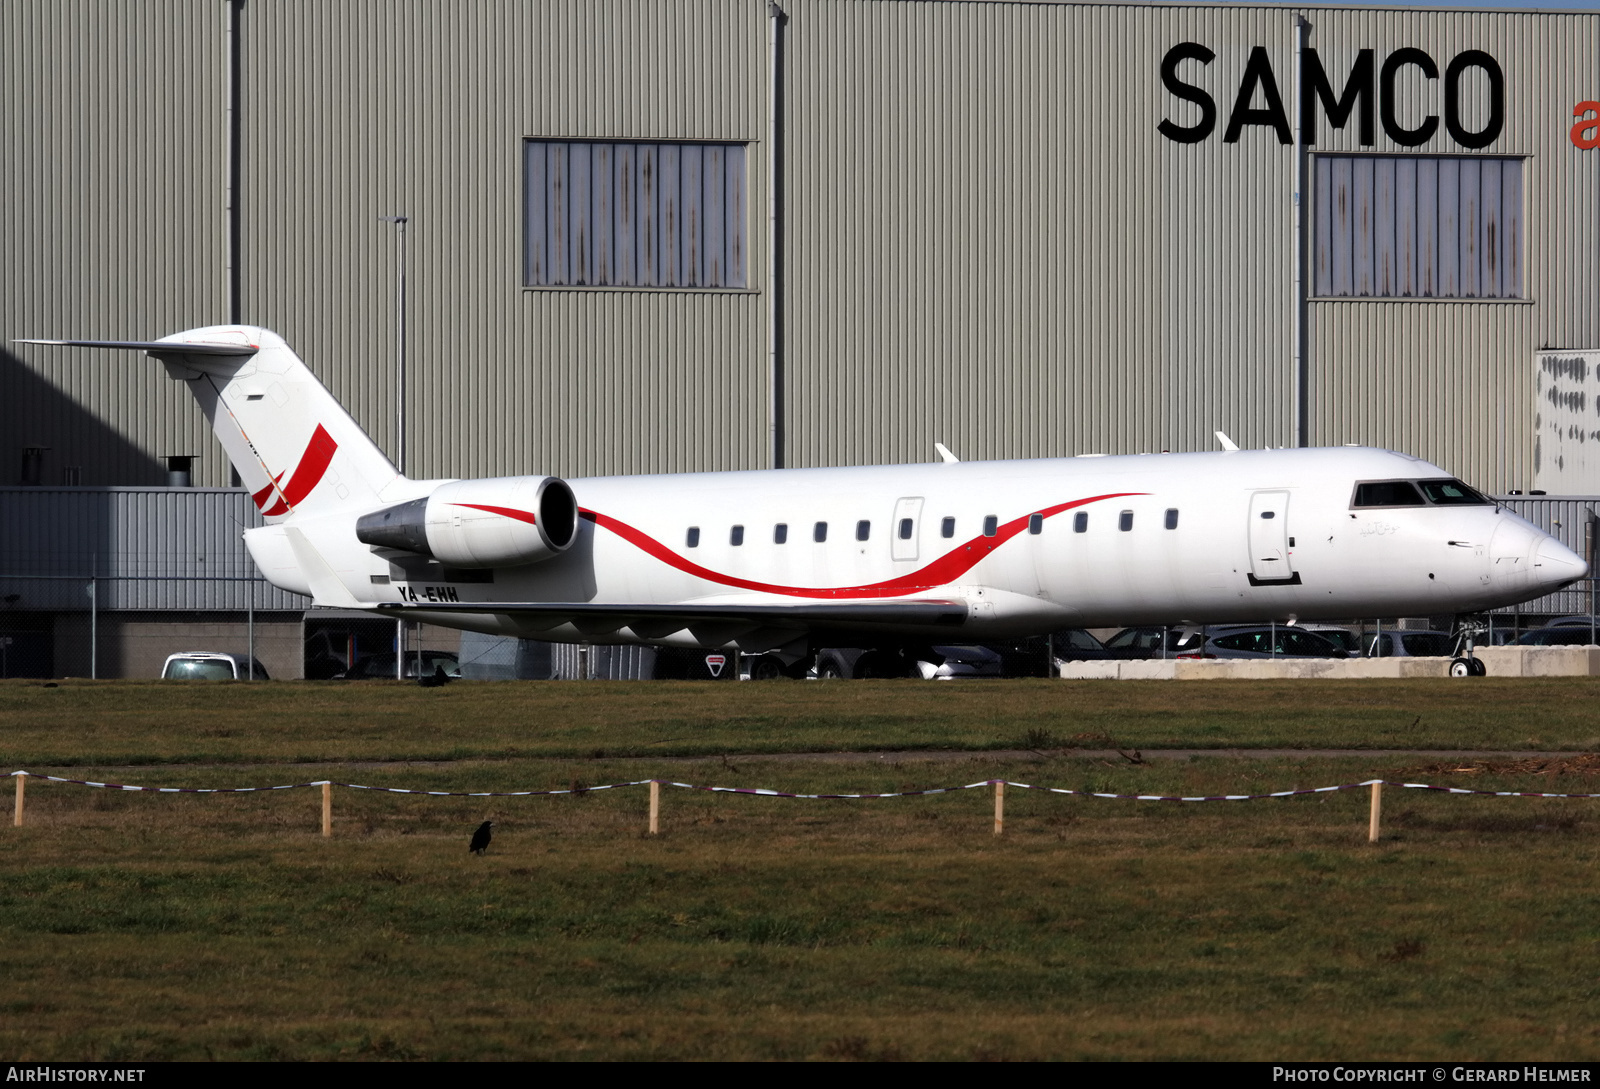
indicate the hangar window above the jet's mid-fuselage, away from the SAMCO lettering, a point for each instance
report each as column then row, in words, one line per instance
column 634, row 215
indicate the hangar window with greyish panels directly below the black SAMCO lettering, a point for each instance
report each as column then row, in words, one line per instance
column 1418, row 226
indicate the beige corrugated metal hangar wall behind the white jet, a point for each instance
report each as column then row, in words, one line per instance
column 986, row 239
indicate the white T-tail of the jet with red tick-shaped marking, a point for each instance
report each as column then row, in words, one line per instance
column 294, row 445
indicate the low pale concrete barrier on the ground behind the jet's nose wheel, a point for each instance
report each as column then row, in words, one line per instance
column 1498, row 661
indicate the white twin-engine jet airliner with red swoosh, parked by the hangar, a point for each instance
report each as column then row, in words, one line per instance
column 892, row 557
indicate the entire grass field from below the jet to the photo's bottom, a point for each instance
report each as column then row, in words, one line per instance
column 182, row 927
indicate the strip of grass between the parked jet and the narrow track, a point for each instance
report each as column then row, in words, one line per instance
column 154, row 722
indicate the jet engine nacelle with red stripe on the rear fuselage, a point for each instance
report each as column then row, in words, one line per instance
column 481, row 524
